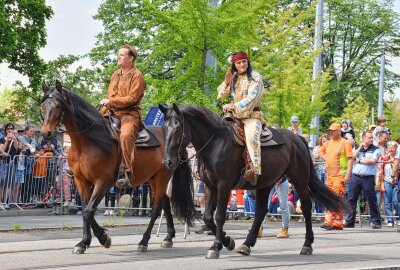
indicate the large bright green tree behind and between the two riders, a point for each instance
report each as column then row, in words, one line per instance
column 174, row 38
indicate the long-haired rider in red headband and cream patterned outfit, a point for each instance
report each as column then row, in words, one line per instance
column 245, row 87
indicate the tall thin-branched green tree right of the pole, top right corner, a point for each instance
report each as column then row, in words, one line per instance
column 355, row 32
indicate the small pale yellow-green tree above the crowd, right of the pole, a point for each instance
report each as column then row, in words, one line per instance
column 358, row 112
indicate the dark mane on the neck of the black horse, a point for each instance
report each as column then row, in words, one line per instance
column 211, row 119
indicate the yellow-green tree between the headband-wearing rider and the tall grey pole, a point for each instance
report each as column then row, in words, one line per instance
column 286, row 61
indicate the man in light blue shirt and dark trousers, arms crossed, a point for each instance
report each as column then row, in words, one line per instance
column 363, row 177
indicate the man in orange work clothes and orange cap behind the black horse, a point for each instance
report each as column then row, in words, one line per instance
column 338, row 155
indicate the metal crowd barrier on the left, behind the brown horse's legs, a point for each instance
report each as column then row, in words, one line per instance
column 42, row 182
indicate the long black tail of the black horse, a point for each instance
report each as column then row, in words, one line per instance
column 319, row 192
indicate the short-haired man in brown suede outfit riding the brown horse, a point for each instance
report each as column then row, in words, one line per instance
column 125, row 93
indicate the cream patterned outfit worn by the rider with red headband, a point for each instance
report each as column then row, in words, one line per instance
column 246, row 95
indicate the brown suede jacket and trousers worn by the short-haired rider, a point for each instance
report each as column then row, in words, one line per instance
column 125, row 93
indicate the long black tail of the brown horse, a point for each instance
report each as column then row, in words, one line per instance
column 182, row 194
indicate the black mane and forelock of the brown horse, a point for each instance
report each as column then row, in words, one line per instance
column 90, row 122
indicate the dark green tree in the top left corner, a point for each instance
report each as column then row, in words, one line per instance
column 22, row 34
